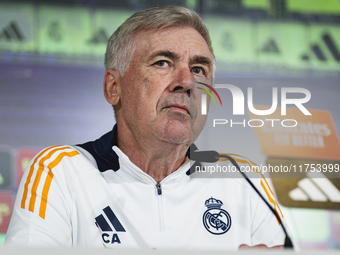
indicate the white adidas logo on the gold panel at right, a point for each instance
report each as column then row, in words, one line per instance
column 317, row 188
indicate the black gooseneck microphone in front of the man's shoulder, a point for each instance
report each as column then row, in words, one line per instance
column 214, row 156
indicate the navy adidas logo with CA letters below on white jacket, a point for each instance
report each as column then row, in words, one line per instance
column 107, row 222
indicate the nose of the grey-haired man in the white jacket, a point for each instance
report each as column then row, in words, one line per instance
column 182, row 80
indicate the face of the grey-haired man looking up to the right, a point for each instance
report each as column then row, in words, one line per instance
column 155, row 90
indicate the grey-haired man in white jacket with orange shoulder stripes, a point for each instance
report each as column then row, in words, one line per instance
column 131, row 188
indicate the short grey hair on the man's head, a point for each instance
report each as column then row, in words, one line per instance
column 120, row 46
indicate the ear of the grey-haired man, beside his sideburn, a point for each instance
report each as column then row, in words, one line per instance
column 112, row 86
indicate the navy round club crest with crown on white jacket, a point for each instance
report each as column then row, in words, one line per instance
column 216, row 220
